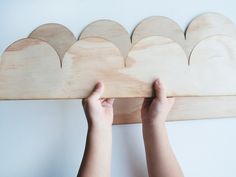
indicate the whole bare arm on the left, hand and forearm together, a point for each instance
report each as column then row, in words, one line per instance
column 97, row 156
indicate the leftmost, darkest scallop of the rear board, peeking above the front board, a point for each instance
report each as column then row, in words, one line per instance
column 58, row 36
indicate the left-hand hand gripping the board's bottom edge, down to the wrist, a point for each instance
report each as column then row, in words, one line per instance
column 98, row 111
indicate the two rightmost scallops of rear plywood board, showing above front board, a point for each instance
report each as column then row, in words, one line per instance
column 201, row 27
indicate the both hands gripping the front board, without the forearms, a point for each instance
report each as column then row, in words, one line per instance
column 99, row 111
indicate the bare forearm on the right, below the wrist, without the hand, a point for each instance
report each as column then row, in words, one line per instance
column 161, row 160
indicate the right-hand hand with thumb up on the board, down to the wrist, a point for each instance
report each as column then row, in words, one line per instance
column 155, row 110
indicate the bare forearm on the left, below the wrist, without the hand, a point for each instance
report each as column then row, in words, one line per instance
column 97, row 156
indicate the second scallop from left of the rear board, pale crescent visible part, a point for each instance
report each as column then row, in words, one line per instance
column 111, row 31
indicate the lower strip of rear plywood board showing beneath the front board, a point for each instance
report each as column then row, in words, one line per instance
column 185, row 108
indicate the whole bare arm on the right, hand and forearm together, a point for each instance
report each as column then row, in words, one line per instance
column 161, row 160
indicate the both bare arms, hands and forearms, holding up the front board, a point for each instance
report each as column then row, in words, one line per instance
column 161, row 160
